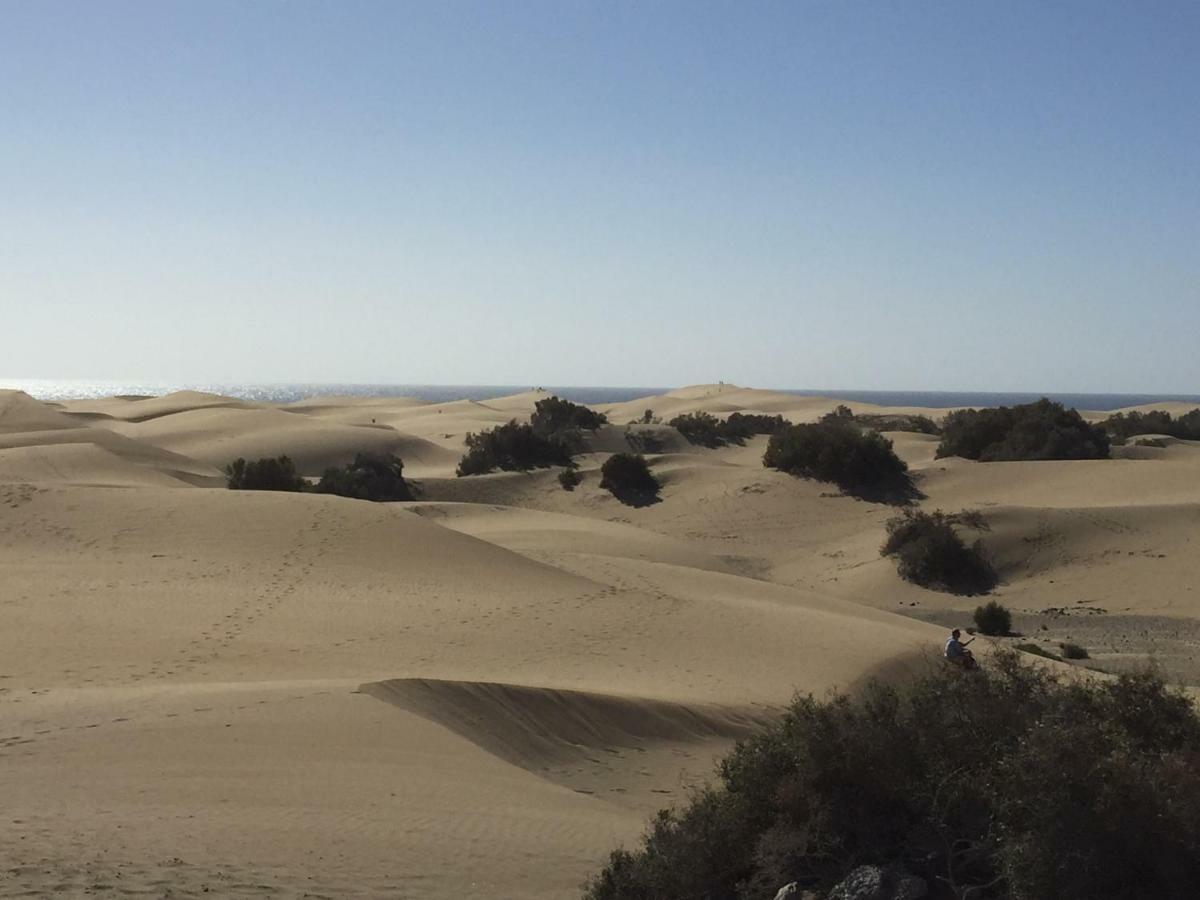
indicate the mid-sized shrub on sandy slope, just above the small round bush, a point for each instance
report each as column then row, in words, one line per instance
column 929, row 553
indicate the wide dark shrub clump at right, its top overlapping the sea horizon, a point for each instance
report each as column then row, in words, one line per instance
column 1034, row 431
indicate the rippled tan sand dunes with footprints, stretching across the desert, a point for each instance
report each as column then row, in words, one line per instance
column 484, row 692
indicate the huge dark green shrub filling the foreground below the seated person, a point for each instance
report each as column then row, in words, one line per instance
column 1000, row 784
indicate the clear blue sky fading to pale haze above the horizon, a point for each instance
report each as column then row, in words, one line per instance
column 907, row 196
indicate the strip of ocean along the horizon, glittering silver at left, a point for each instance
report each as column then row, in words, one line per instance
column 286, row 393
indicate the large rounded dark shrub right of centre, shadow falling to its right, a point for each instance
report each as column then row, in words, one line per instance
column 860, row 464
